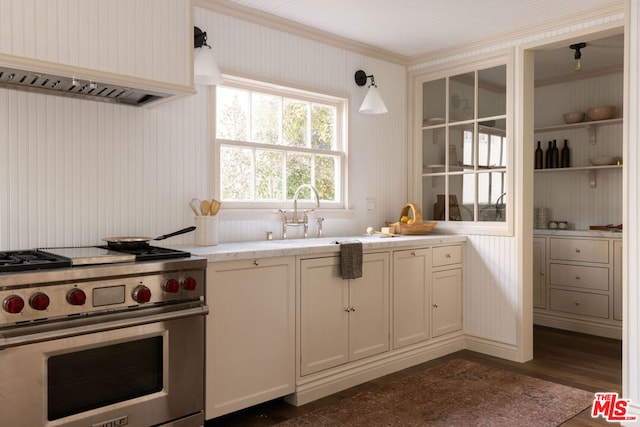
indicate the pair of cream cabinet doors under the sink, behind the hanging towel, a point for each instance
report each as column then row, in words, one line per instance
column 342, row 320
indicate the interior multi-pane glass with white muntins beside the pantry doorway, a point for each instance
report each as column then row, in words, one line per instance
column 462, row 145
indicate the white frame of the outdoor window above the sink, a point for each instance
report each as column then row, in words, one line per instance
column 342, row 146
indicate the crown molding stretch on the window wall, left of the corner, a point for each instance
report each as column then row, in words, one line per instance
column 229, row 8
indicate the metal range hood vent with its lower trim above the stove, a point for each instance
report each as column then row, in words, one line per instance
column 55, row 79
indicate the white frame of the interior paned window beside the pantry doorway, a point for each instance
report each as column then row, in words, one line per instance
column 417, row 78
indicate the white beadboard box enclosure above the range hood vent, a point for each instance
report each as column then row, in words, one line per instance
column 142, row 39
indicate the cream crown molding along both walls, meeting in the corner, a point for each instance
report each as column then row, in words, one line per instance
column 611, row 11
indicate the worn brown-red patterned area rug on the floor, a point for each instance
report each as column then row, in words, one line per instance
column 457, row 393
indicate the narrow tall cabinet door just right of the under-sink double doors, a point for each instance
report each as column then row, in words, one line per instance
column 411, row 296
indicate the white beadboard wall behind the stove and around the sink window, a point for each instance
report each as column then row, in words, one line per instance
column 73, row 172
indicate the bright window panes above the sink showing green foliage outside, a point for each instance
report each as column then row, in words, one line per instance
column 271, row 140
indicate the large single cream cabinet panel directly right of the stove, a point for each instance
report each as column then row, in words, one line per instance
column 250, row 334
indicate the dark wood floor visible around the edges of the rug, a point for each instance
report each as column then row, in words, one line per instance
column 577, row 360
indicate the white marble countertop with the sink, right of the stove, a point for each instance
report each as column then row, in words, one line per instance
column 274, row 248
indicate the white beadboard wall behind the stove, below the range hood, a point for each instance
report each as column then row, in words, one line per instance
column 74, row 172
